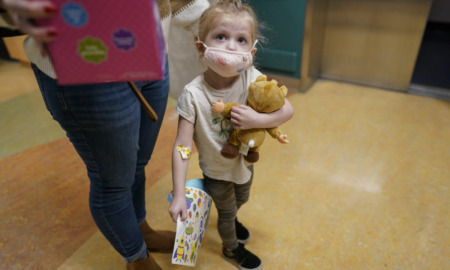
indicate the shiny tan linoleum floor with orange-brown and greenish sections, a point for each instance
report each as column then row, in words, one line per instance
column 364, row 184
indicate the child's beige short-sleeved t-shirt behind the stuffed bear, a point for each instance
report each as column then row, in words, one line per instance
column 212, row 130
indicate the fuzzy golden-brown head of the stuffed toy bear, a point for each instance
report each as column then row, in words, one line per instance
column 265, row 96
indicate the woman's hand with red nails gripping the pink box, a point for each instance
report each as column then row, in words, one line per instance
column 24, row 11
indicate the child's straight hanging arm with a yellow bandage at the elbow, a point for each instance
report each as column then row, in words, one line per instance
column 180, row 165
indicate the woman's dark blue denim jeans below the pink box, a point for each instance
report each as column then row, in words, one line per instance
column 115, row 139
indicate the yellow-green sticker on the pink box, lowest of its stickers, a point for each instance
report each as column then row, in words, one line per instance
column 92, row 50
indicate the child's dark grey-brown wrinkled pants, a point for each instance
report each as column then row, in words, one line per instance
column 228, row 198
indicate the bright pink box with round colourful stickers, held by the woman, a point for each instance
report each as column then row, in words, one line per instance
column 106, row 41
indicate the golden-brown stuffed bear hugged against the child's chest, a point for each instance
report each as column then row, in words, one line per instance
column 264, row 97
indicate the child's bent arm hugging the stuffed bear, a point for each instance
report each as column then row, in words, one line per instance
column 244, row 117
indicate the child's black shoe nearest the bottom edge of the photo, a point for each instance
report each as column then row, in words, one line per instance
column 243, row 258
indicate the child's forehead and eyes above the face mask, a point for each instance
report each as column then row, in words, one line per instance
column 231, row 32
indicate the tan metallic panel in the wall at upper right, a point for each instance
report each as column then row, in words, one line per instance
column 373, row 42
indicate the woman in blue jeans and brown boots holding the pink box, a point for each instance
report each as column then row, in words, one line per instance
column 109, row 130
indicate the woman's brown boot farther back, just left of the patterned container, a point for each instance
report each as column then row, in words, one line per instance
column 157, row 241
